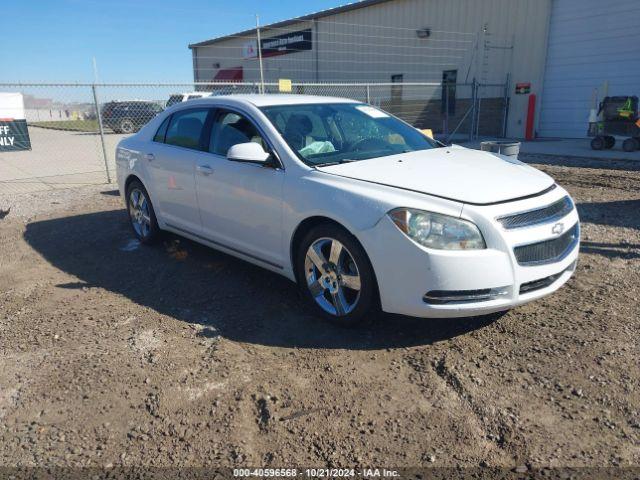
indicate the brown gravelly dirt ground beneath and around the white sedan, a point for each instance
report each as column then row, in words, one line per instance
column 116, row 354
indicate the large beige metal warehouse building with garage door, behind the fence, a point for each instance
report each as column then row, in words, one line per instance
column 567, row 53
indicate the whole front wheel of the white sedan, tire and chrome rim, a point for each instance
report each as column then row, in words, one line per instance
column 340, row 288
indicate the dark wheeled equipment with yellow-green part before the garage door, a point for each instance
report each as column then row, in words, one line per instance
column 618, row 120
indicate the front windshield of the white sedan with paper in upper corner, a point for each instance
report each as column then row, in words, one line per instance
column 331, row 133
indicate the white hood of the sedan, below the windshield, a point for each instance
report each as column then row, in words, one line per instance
column 456, row 173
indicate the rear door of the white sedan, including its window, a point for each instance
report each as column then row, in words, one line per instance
column 171, row 160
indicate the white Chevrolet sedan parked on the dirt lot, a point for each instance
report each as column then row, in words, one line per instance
column 362, row 210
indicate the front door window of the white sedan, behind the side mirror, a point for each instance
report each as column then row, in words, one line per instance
column 229, row 129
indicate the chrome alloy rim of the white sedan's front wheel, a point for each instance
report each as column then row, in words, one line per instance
column 332, row 276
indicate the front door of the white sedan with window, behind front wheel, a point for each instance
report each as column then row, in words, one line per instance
column 240, row 203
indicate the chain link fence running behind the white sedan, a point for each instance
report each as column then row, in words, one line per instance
column 74, row 128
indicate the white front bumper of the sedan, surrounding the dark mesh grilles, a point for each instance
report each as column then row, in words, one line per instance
column 421, row 282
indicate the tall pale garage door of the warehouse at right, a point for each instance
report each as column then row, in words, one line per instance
column 590, row 41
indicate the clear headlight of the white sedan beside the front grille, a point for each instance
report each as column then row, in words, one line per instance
column 435, row 230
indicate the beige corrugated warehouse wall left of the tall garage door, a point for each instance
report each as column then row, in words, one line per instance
column 482, row 39
